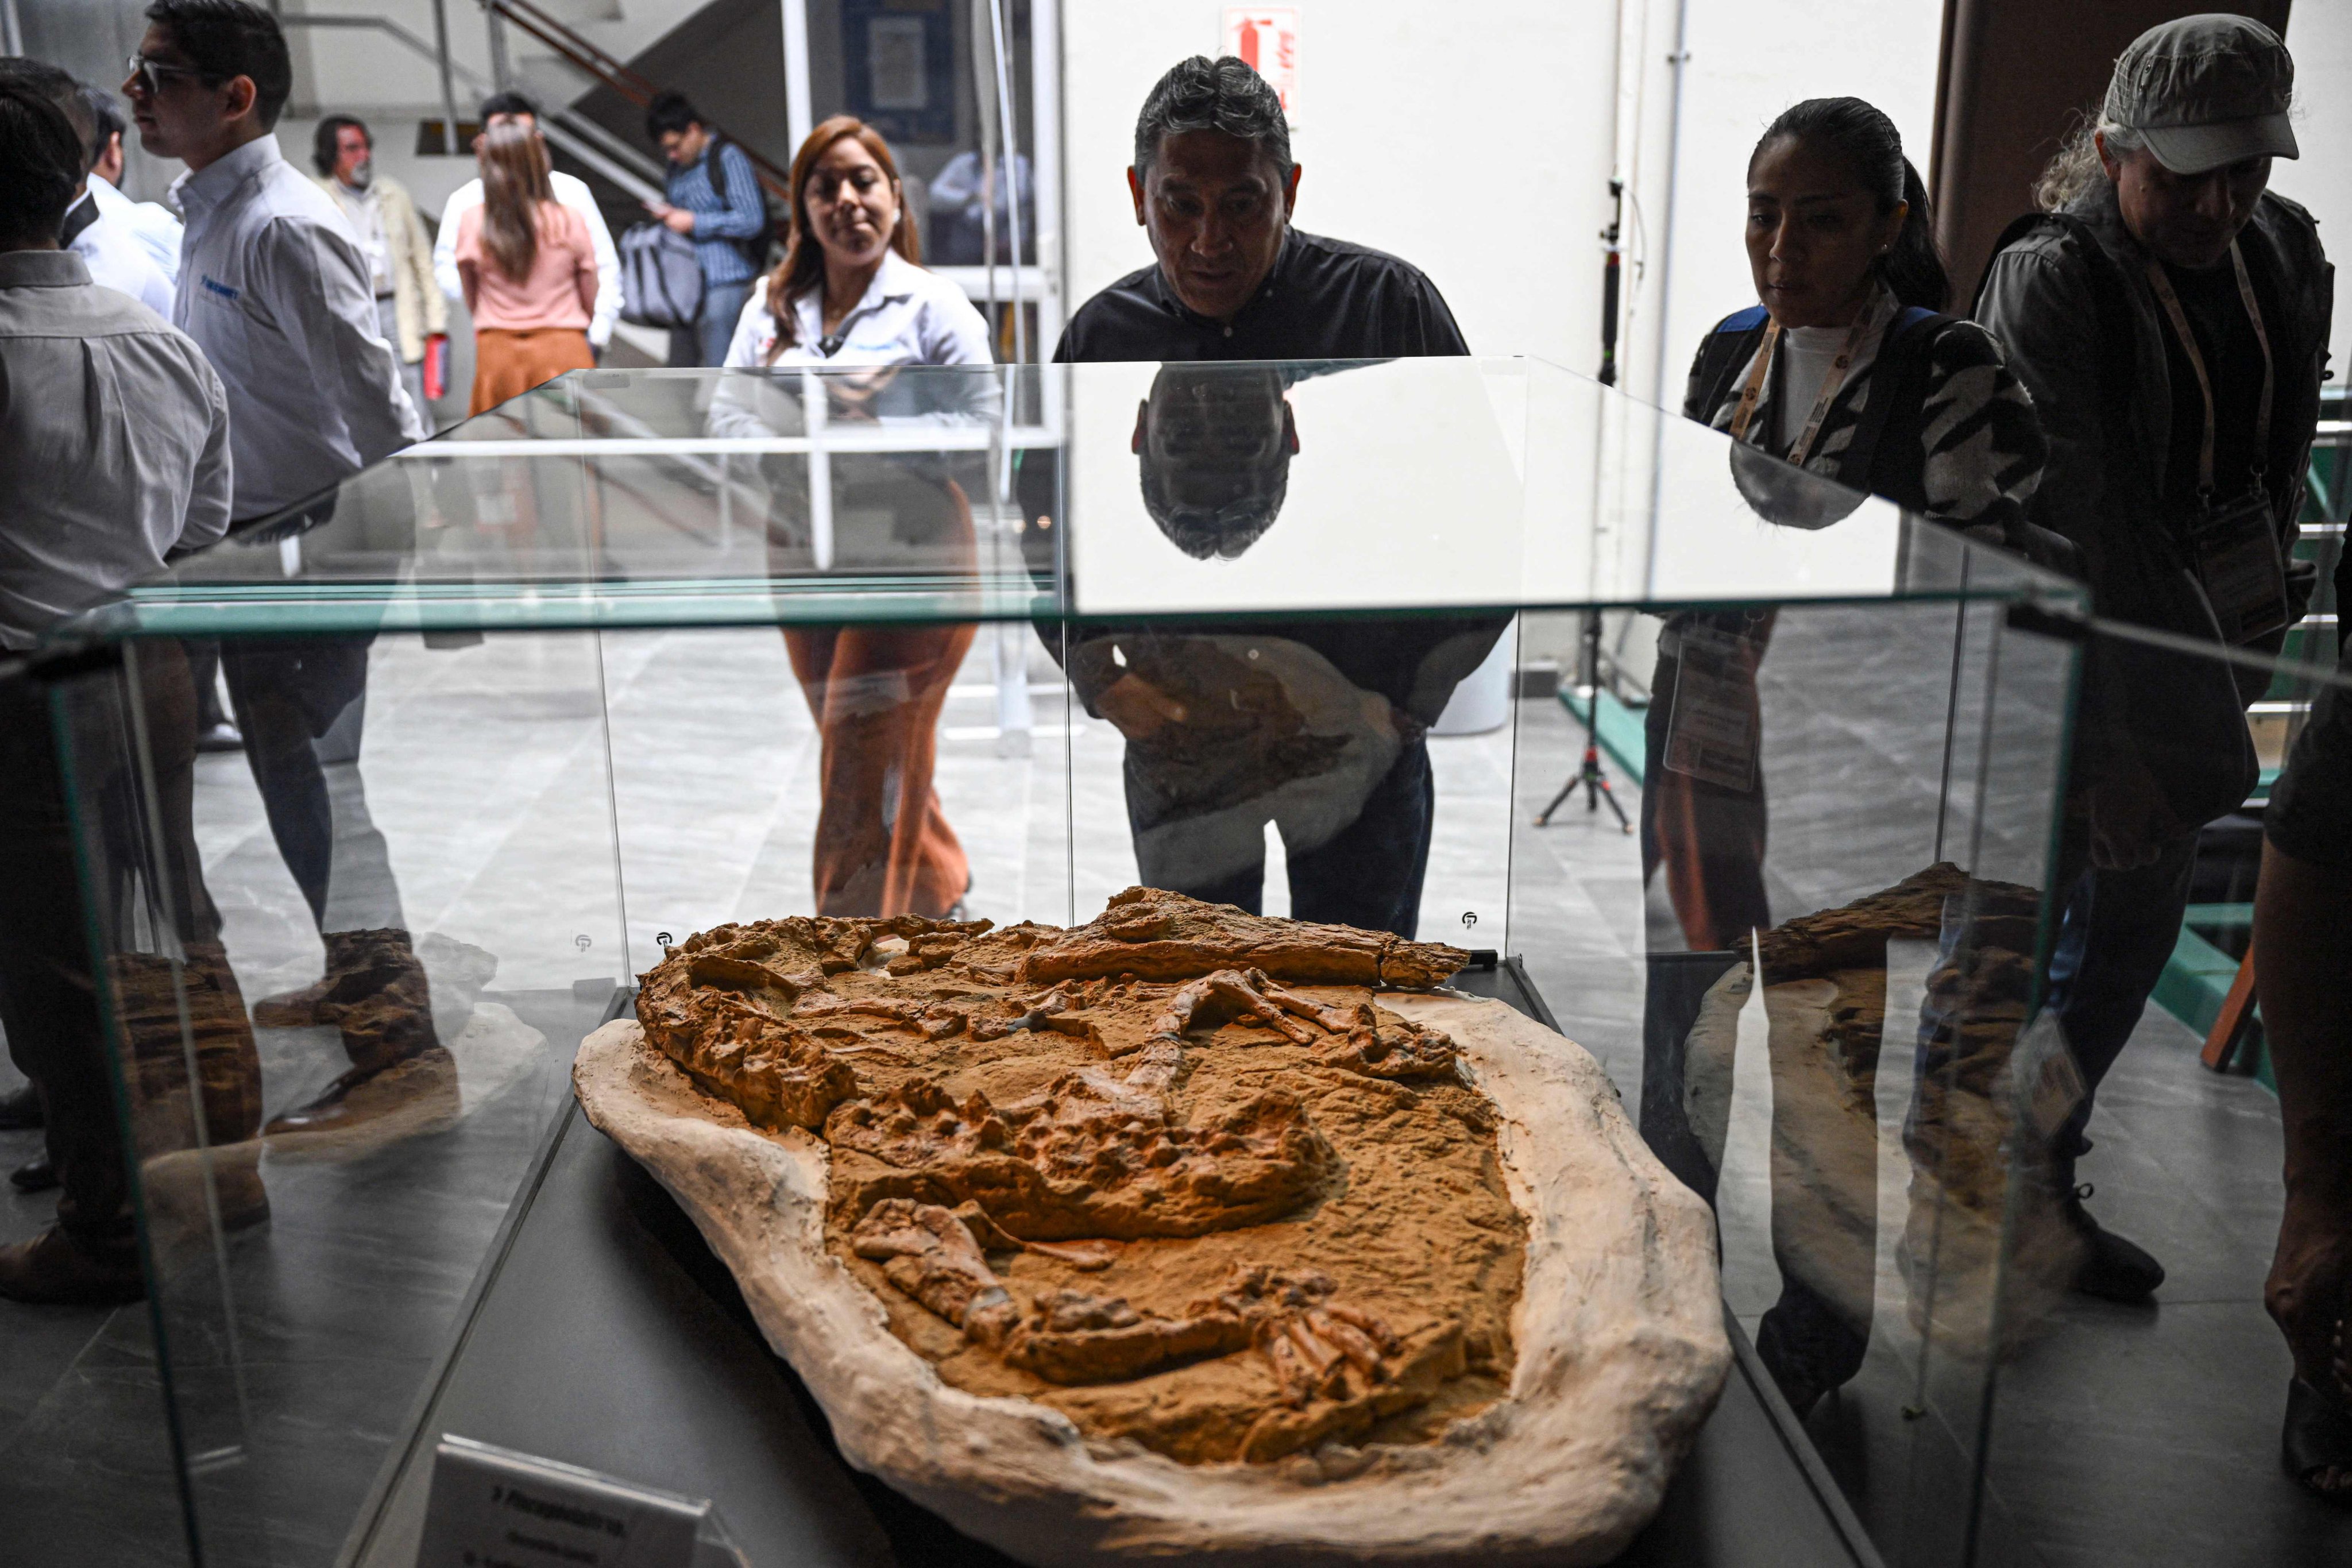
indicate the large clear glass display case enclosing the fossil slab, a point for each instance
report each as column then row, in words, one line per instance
column 648, row 652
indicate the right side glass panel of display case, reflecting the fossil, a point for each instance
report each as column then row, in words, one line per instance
column 1864, row 796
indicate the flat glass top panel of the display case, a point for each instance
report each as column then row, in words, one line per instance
column 674, row 497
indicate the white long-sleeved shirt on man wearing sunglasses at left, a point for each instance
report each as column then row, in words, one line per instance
column 276, row 293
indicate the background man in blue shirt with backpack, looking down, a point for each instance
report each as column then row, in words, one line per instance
column 714, row 201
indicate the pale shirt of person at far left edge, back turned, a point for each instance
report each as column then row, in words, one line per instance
column 114, row 443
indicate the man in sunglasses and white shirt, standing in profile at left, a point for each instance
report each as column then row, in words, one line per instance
column 279, row 295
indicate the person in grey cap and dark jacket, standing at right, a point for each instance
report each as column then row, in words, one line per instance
column 2170, row 319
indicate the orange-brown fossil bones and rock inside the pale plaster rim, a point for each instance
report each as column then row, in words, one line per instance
column 1175, row 1174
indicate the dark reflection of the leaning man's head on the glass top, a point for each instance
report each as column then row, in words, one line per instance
column 1215, row 448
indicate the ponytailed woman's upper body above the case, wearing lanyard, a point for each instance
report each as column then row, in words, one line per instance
column 1843, row 248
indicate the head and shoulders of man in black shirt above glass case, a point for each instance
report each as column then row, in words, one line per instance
column 1215, row 189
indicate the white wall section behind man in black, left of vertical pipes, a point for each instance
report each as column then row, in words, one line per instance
column 1483, row 161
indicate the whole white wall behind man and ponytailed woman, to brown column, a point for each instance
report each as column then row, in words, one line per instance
column 1478, row 145
